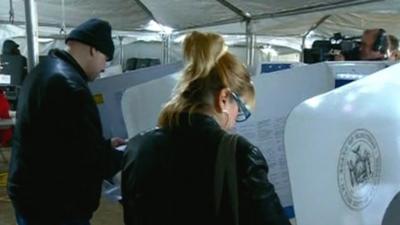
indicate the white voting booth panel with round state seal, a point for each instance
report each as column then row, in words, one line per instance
column 343, row 153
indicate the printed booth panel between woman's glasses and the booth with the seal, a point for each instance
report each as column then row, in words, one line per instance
column 277, row 93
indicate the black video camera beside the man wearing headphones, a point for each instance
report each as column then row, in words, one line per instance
column 325, row 50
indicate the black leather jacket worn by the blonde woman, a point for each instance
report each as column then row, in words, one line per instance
column 167, row 178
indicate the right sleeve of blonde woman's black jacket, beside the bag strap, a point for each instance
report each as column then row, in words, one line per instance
column 259, row 203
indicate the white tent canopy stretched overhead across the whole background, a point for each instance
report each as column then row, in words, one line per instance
column 281, row 24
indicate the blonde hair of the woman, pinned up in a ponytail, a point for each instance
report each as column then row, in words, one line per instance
column 209, row 68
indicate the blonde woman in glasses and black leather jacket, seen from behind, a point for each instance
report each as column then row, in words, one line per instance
column 192, row 170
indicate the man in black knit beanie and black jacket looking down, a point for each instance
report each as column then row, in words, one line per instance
column 59, row 156
